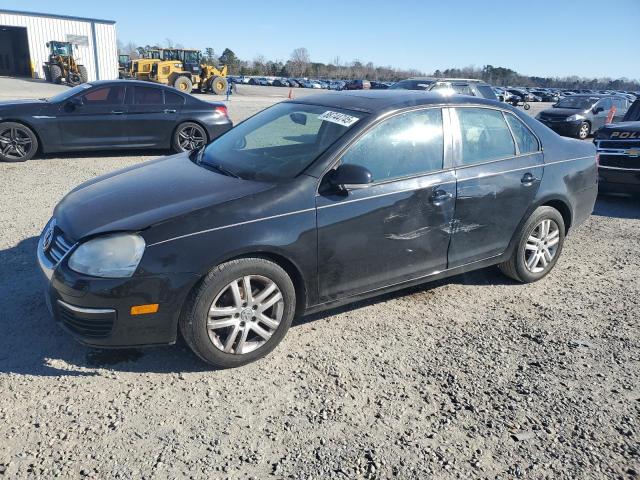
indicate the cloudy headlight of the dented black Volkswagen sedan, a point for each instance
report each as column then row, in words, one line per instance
column 111, row 256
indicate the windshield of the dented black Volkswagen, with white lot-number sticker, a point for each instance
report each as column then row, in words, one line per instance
column 278, row 143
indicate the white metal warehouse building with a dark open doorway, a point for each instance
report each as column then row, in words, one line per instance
column 24, row 37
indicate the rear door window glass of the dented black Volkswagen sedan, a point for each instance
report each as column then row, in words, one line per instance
column 485, row 136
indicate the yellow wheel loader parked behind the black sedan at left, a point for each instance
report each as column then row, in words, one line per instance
column 186, row 71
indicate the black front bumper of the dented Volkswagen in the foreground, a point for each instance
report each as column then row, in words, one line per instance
column 97, row 311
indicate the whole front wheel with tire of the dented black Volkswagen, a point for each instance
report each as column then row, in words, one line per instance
column 239, row 313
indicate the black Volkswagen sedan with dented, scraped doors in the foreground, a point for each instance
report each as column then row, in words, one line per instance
column 310, row 204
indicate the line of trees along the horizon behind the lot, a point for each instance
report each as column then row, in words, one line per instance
column 300, row 64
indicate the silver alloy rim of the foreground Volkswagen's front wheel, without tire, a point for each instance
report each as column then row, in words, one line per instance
column 245, row 314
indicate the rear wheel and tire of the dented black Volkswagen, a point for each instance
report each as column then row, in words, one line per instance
column 539, row 244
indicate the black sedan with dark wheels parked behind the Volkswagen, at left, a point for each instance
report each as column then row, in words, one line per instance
column 109, row 115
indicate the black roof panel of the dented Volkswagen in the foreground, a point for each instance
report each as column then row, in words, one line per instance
column 372, row 101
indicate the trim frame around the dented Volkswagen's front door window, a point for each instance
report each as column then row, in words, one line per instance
column 447, row 150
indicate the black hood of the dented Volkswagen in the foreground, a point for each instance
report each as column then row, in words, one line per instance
column 140, row 196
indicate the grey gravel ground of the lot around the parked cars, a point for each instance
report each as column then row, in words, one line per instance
column 471, row 377
